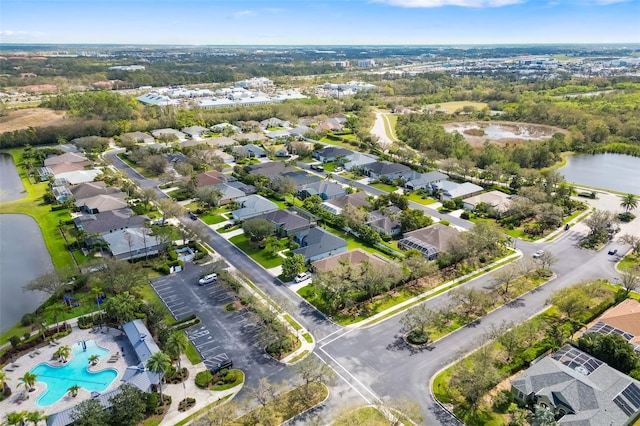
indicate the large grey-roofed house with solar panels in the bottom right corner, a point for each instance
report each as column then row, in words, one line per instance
column 579, row 389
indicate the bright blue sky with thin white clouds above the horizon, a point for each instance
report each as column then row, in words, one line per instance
column 319, row 22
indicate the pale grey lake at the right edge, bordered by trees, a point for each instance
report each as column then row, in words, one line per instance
column 617, row 172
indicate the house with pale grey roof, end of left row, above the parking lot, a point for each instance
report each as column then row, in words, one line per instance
column 132, row 243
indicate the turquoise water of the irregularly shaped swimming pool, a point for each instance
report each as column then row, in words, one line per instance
column 75, row 372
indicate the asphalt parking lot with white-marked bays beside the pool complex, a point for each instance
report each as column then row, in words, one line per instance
column 221, row 335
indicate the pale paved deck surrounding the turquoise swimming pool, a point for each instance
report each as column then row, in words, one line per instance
column 106, row 339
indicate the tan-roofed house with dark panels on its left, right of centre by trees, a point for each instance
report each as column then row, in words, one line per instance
column 430, row 241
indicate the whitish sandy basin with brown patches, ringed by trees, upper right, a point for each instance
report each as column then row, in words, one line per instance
column 502, row 132
